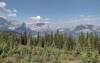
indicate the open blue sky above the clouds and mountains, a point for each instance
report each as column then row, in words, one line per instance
column 56, row 10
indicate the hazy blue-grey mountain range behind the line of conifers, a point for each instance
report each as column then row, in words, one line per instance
column 6, row 25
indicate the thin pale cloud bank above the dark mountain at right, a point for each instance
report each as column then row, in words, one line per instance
column 82, row 19
